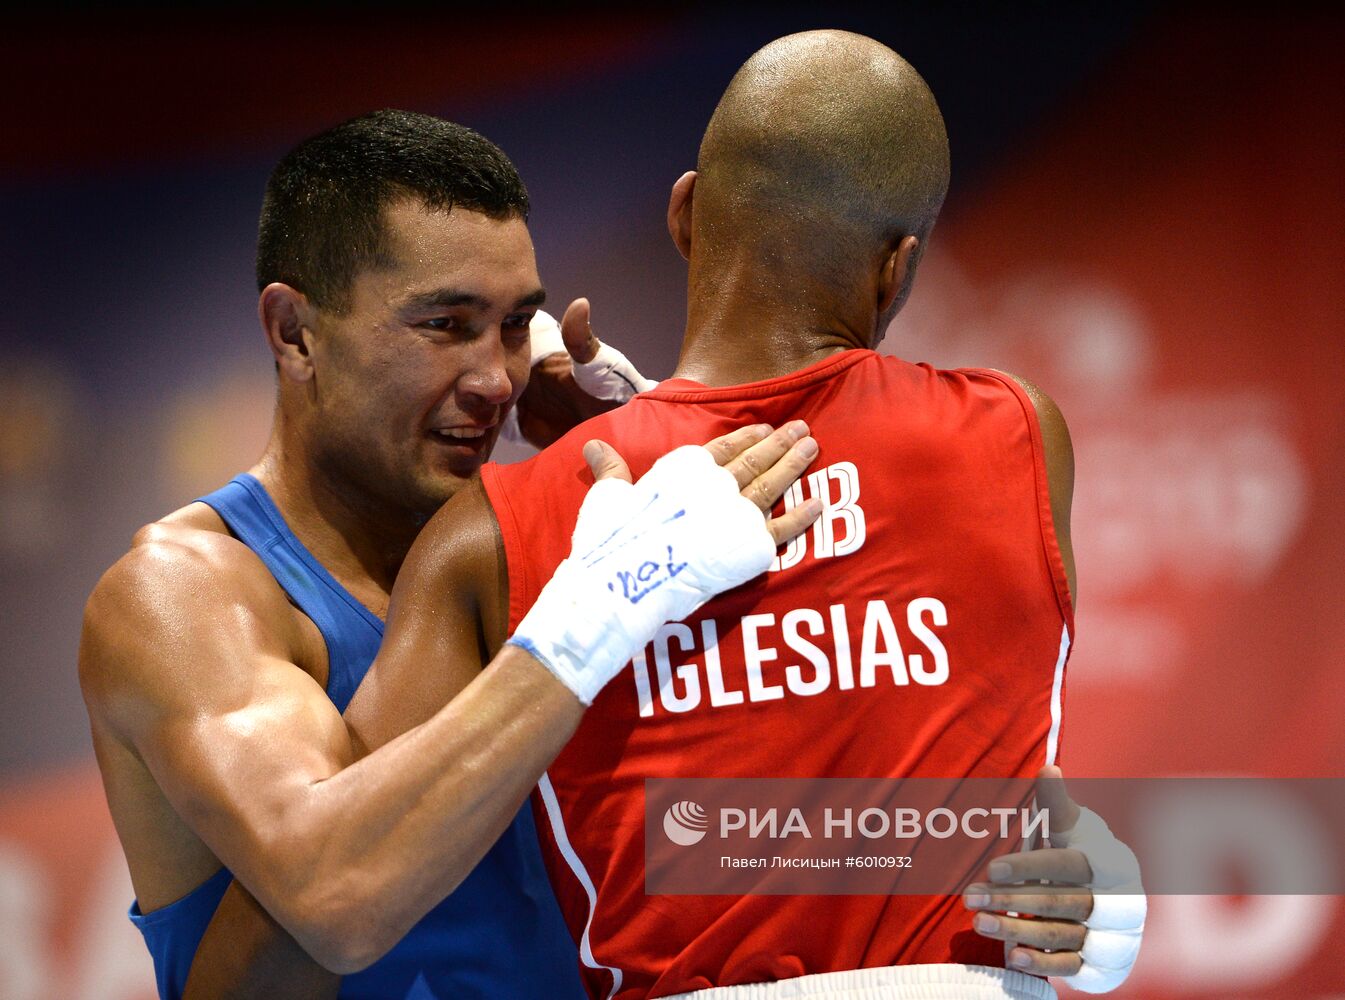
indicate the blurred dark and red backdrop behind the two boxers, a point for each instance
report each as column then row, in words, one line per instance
column 1148, row 220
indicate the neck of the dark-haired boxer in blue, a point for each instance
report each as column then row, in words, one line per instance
column 352, row 534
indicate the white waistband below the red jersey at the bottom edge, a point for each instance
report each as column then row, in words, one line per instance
column 892, row 983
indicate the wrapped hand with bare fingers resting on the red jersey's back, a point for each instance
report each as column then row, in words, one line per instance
column 645, row 554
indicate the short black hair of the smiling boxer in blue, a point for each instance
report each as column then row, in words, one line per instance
column 322, row 219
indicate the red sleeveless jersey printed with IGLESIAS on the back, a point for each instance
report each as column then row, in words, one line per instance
column 938, row 522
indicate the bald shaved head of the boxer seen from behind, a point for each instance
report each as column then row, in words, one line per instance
column 828, row 143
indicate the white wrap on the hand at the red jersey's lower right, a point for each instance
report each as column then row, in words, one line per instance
column 1117, row 924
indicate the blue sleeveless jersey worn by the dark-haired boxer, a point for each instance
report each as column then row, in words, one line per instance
column 500, row 935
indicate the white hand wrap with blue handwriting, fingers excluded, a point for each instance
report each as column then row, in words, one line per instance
column 642, row 557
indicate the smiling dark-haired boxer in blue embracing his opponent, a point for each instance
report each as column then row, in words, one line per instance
column 397, row 294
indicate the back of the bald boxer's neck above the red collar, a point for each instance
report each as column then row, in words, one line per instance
column 750, row 320
